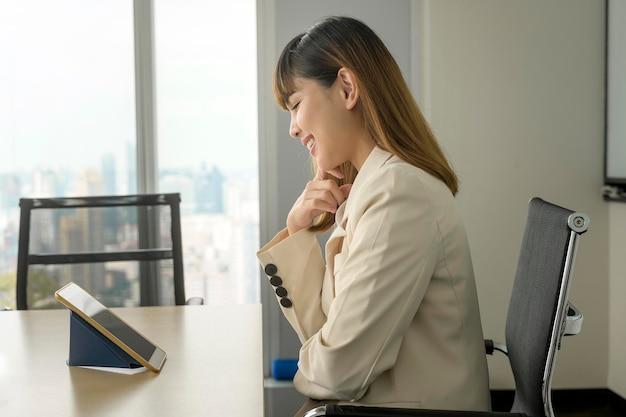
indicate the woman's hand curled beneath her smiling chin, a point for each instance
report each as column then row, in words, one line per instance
column 320, row 195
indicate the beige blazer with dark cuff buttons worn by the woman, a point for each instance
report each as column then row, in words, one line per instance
column 391, row 318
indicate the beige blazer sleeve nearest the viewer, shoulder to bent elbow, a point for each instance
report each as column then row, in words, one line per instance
column 394, row 244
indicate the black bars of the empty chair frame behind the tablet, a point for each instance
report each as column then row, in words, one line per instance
column 25, row 259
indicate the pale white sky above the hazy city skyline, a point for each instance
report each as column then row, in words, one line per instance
column 67, row 82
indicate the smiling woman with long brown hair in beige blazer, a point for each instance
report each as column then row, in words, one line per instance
column 391, row 317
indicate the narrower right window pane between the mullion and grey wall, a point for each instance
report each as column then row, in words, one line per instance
column 205, row 55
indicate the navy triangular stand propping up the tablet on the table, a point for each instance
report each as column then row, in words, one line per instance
column 89, row 347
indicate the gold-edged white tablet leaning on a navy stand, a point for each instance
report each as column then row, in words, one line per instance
column 112, row 326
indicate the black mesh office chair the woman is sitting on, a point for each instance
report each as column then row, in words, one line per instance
column 538, row 316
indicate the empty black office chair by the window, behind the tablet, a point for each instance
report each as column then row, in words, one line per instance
column 116, row 247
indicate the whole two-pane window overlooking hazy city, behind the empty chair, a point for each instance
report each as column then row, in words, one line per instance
column 68, row 124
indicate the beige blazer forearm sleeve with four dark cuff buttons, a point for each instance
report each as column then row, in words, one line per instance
column 295, row 268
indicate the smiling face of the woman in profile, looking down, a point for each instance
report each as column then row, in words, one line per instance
column 324, row 123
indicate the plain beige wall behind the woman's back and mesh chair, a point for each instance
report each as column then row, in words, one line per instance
column 516, row 96
